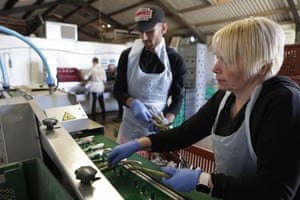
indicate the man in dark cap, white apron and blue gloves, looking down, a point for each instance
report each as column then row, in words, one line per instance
column 148, row 74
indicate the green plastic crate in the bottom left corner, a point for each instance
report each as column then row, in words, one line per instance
column 30, row 180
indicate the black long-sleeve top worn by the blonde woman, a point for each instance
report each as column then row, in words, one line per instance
column 275, row 136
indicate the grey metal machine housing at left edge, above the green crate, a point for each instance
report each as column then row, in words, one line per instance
column 19, row 135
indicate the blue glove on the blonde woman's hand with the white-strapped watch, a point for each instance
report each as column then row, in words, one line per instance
column 183, row 180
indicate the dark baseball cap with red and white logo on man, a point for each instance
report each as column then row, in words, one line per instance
column 146, row 18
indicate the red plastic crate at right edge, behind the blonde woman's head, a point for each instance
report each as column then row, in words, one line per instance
column 291, row 62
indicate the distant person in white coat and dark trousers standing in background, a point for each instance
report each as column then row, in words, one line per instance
column 97, row 78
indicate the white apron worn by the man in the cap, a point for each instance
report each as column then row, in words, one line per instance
column 150, row 88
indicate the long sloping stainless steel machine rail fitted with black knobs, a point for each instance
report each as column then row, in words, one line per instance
column 68, row 157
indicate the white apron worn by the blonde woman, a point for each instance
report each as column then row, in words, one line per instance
column 234, row 154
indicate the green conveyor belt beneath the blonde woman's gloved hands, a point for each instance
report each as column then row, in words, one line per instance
column 131, row 186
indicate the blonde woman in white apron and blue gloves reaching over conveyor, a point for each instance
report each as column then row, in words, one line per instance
column 253, row 119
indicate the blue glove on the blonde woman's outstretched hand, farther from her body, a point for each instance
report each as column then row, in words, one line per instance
column 123, row 151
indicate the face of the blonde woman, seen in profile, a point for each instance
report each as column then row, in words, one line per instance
column 227, row 79
